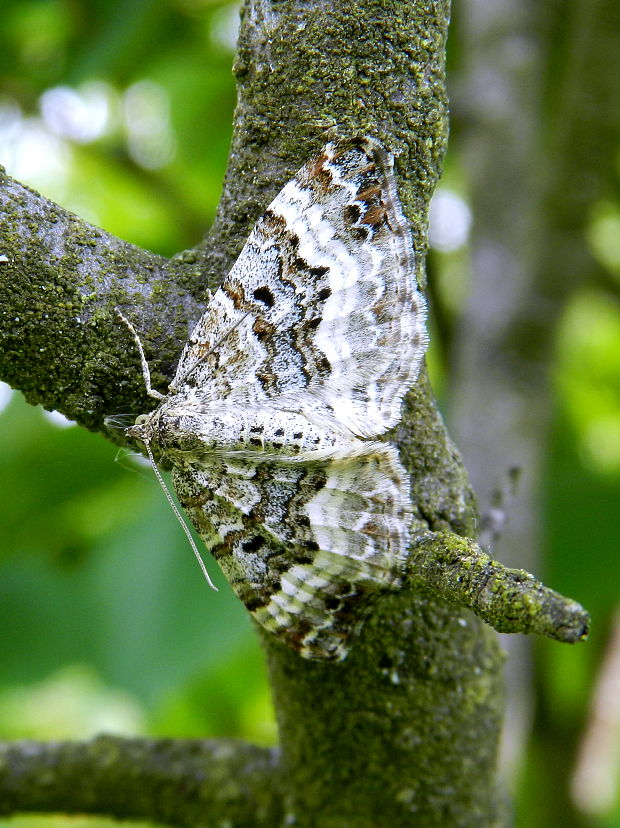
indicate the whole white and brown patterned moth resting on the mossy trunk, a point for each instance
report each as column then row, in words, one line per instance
column 300, row 360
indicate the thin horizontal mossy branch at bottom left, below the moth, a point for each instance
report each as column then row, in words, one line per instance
column 179, row 782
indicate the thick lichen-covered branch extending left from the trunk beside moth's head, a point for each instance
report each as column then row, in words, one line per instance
column 60, row 342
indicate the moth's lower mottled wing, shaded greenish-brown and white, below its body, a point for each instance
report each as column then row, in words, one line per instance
column 306, row 546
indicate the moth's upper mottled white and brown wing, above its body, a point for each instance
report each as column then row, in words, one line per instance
column 321, row 303
